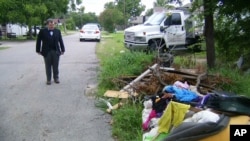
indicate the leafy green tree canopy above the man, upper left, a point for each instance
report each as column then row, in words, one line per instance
column 33, row 12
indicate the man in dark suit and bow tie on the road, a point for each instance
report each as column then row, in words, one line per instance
column 50, row 45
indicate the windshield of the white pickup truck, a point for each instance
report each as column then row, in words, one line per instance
column 156, row 18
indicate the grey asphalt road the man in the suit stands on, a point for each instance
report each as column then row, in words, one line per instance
column 30, row 110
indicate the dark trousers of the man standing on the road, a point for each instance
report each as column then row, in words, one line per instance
column 52, row 63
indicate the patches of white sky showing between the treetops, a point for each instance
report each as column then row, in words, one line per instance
column 97, row 6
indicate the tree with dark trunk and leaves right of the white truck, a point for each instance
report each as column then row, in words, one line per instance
column 232, row 20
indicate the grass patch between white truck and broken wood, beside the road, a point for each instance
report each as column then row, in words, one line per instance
column 116, row 61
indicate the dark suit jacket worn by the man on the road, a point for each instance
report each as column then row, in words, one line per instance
column 43, row 40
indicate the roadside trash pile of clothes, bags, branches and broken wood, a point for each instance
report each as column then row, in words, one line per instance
column 184, row 106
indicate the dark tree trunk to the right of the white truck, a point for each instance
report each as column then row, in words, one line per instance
column 209, row 33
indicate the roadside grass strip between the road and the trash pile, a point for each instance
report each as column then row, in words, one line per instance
column 116, row 61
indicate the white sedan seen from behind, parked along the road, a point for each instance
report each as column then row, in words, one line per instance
column 90, row 32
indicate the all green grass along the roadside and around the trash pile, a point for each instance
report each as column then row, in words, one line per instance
column 116, row 61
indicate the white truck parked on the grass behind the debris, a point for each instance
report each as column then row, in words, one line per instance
column 172, row 29
